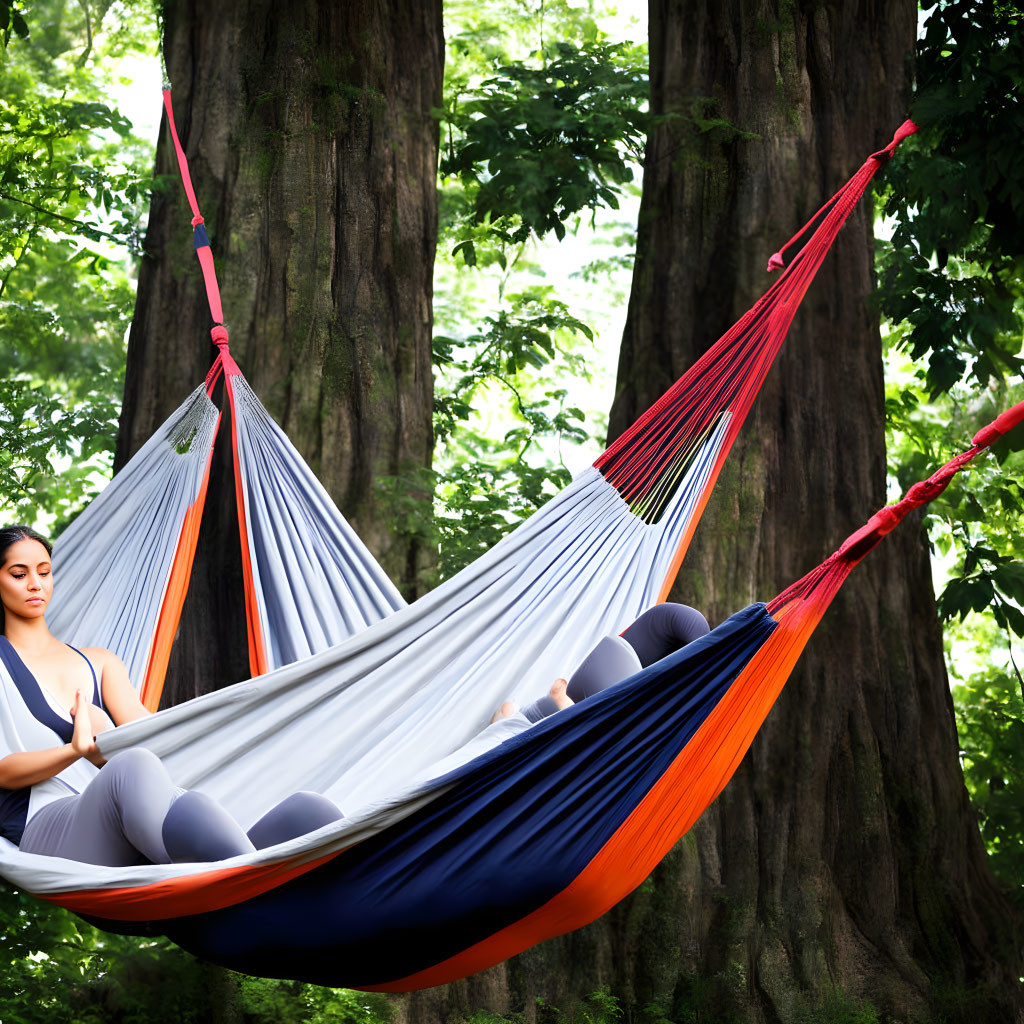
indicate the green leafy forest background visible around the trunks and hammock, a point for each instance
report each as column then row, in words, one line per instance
column 516, row 368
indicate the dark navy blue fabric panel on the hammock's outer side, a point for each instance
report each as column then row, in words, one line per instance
column 517, row 828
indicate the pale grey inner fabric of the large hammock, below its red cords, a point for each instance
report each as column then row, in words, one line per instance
column 365, row 721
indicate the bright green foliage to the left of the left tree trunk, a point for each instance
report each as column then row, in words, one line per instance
column 71, row 177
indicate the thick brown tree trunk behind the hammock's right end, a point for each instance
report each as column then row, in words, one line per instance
column 843, row 863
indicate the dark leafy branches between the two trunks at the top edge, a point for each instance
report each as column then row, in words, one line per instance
column 542, row 116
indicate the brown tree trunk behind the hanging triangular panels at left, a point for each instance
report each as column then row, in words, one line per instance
column 314, row 152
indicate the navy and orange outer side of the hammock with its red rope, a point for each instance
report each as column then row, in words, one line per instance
column 535, row 838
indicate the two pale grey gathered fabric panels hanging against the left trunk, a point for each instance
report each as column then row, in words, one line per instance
column 315, row 581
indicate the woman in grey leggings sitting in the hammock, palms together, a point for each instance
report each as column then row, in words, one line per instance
column 58, row 795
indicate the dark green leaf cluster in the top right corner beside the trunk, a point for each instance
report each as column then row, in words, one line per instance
column 954, row 271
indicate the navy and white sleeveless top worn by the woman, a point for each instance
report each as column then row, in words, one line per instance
column 30, row 706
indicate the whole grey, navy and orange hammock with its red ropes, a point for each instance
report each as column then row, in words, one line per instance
column 440, row 870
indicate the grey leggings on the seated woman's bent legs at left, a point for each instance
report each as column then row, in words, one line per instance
column 133, row 814
